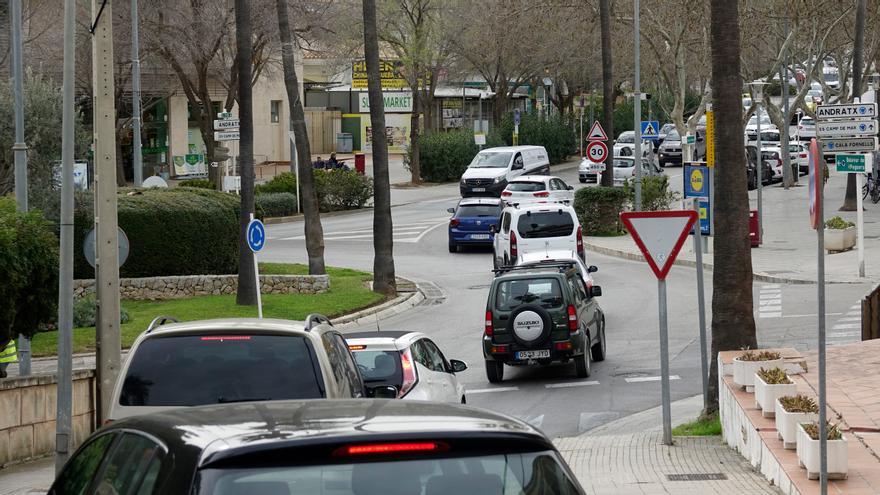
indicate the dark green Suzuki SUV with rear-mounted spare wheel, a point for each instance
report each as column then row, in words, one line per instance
column 538, row 314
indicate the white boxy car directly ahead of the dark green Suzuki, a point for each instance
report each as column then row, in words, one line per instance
column 536, row 228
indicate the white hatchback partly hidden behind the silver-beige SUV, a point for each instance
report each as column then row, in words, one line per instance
column 409, row 362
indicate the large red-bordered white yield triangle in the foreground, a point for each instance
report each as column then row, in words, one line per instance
column 659, row 235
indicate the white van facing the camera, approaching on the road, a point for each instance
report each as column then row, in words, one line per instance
column 492, row 168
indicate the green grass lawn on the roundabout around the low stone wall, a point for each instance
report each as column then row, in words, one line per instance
column 347, row 293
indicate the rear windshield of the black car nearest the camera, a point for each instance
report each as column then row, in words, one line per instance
column 502, row 474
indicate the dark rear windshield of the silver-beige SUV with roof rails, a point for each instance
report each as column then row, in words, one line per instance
column 191, row 370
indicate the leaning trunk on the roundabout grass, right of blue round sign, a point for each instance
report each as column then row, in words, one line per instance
column 314, row 232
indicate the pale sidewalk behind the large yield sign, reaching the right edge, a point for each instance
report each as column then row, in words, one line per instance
column 788, row 253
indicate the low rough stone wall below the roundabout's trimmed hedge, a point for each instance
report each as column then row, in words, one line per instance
column 158, row 288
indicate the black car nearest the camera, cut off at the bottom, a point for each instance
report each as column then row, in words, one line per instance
column 343, row 447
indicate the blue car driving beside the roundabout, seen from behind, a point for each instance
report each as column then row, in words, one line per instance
column 471, row 221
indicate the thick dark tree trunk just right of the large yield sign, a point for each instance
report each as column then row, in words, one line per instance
column 733, row 322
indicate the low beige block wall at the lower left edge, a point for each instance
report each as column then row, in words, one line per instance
column 28, row 411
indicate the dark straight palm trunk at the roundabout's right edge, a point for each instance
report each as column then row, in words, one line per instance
column 384, row 281
